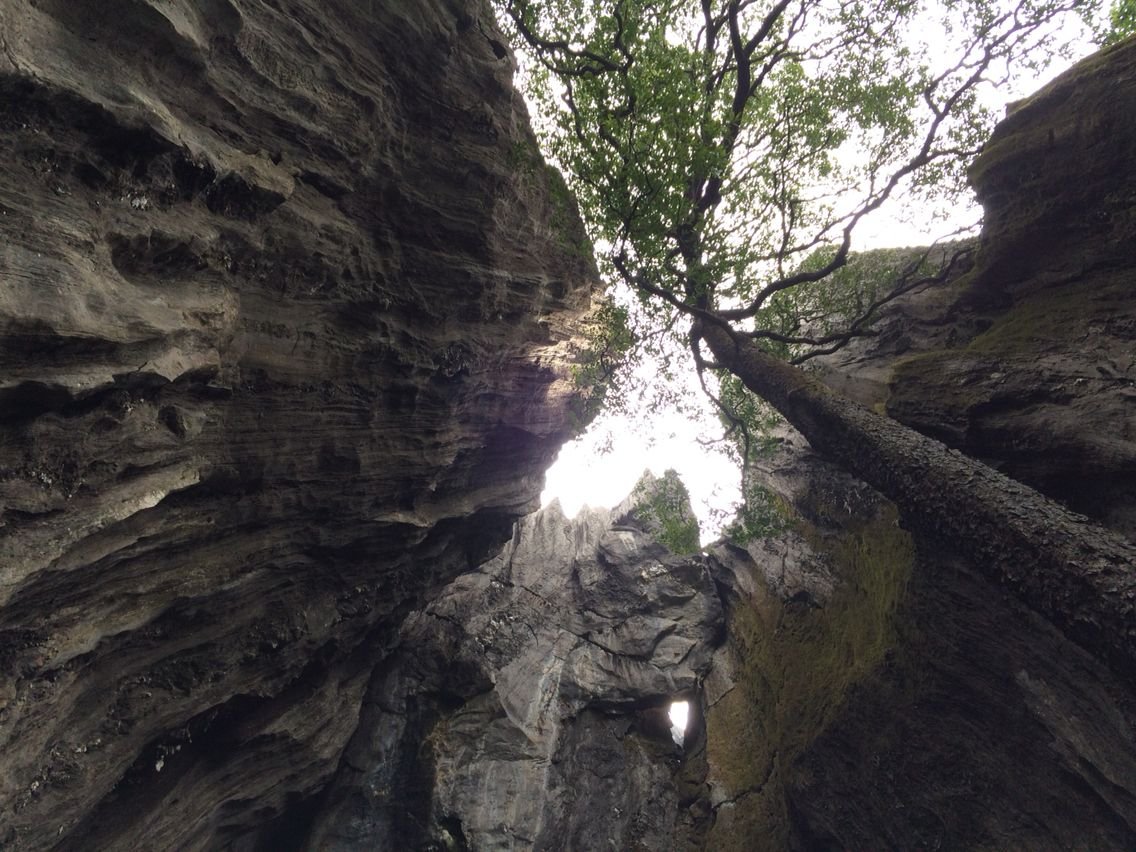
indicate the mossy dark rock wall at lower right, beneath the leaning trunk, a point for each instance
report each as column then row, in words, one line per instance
column 876, row 692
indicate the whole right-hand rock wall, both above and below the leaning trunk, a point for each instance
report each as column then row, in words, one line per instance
column 876, row 691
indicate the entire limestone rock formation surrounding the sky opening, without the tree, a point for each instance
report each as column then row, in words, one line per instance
column 288, row 303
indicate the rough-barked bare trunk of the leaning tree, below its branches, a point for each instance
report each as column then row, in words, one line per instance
column 1080, row 575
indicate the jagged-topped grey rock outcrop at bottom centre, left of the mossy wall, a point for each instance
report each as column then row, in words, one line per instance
column 528, row 705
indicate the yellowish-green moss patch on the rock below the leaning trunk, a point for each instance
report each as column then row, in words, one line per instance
column 795, row 665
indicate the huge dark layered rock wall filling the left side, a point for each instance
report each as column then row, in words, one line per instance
column 287, row 306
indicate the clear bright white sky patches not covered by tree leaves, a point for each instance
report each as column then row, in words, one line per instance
column 600, row 469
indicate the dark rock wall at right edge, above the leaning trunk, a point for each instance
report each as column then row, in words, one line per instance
column 1046, row 386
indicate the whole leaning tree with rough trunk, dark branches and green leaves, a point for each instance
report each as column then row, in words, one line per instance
column 724, row 153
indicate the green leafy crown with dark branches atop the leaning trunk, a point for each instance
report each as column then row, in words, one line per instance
column 724, row 152
